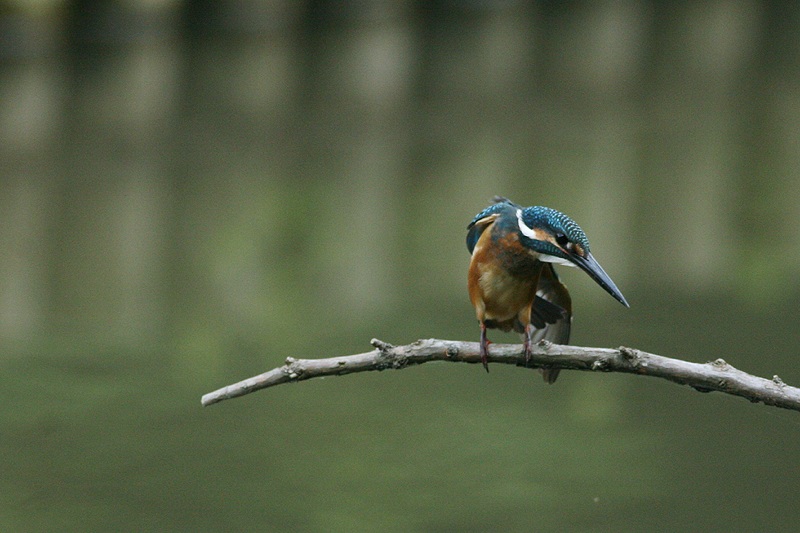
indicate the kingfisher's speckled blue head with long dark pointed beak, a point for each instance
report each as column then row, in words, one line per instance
column 556, row 238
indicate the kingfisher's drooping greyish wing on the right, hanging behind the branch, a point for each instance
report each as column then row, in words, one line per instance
column 552, row 314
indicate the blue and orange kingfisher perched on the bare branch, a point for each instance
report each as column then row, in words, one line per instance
column 511, row 280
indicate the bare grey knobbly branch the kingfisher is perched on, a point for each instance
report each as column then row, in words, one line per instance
column 706, row 377
